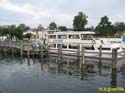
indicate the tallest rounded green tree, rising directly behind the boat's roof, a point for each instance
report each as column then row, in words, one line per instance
column 80, row 21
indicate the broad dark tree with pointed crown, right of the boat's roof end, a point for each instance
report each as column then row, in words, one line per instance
column 104, row 27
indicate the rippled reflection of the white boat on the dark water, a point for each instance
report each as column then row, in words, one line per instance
column 72, row 67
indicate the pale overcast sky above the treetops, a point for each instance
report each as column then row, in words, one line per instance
column 35, row 12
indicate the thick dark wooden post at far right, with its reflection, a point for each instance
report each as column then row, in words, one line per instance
column 114, row 67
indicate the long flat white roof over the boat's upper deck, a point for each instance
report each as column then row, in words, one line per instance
column 75, row 32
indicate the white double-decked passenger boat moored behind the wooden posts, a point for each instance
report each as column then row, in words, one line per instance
column 71, row 41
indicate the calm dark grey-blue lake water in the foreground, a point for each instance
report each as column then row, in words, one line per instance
column 53, row 76
